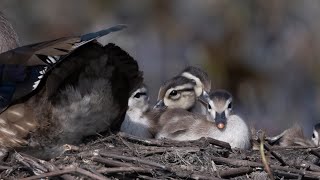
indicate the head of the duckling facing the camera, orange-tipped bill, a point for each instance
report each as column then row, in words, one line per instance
column 219, row 107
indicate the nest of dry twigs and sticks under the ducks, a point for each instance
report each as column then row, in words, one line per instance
column 122, row 156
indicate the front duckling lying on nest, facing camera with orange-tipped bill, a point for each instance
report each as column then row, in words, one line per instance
column 179, row 124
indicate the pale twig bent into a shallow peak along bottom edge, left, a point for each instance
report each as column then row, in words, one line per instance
column 67, row 171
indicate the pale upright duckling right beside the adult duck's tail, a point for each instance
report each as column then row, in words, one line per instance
column 137, row 121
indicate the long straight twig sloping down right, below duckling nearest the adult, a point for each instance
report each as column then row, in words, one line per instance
column 150, row 163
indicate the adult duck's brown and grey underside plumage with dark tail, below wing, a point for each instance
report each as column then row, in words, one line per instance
column 85, row 94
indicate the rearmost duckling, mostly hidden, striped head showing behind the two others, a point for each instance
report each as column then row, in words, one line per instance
column 203, row 85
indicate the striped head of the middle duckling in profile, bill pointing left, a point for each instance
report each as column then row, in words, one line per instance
column 178, row 92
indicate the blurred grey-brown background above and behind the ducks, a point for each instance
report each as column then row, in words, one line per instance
column 264, row 52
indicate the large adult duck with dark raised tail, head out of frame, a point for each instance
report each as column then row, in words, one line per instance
column 70, row 88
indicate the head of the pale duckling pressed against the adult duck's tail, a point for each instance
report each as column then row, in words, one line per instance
column 139, row 99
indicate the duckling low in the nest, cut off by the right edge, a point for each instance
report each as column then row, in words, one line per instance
column 294, row 136
